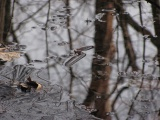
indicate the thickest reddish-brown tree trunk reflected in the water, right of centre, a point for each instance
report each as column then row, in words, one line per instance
column 99, row 88
